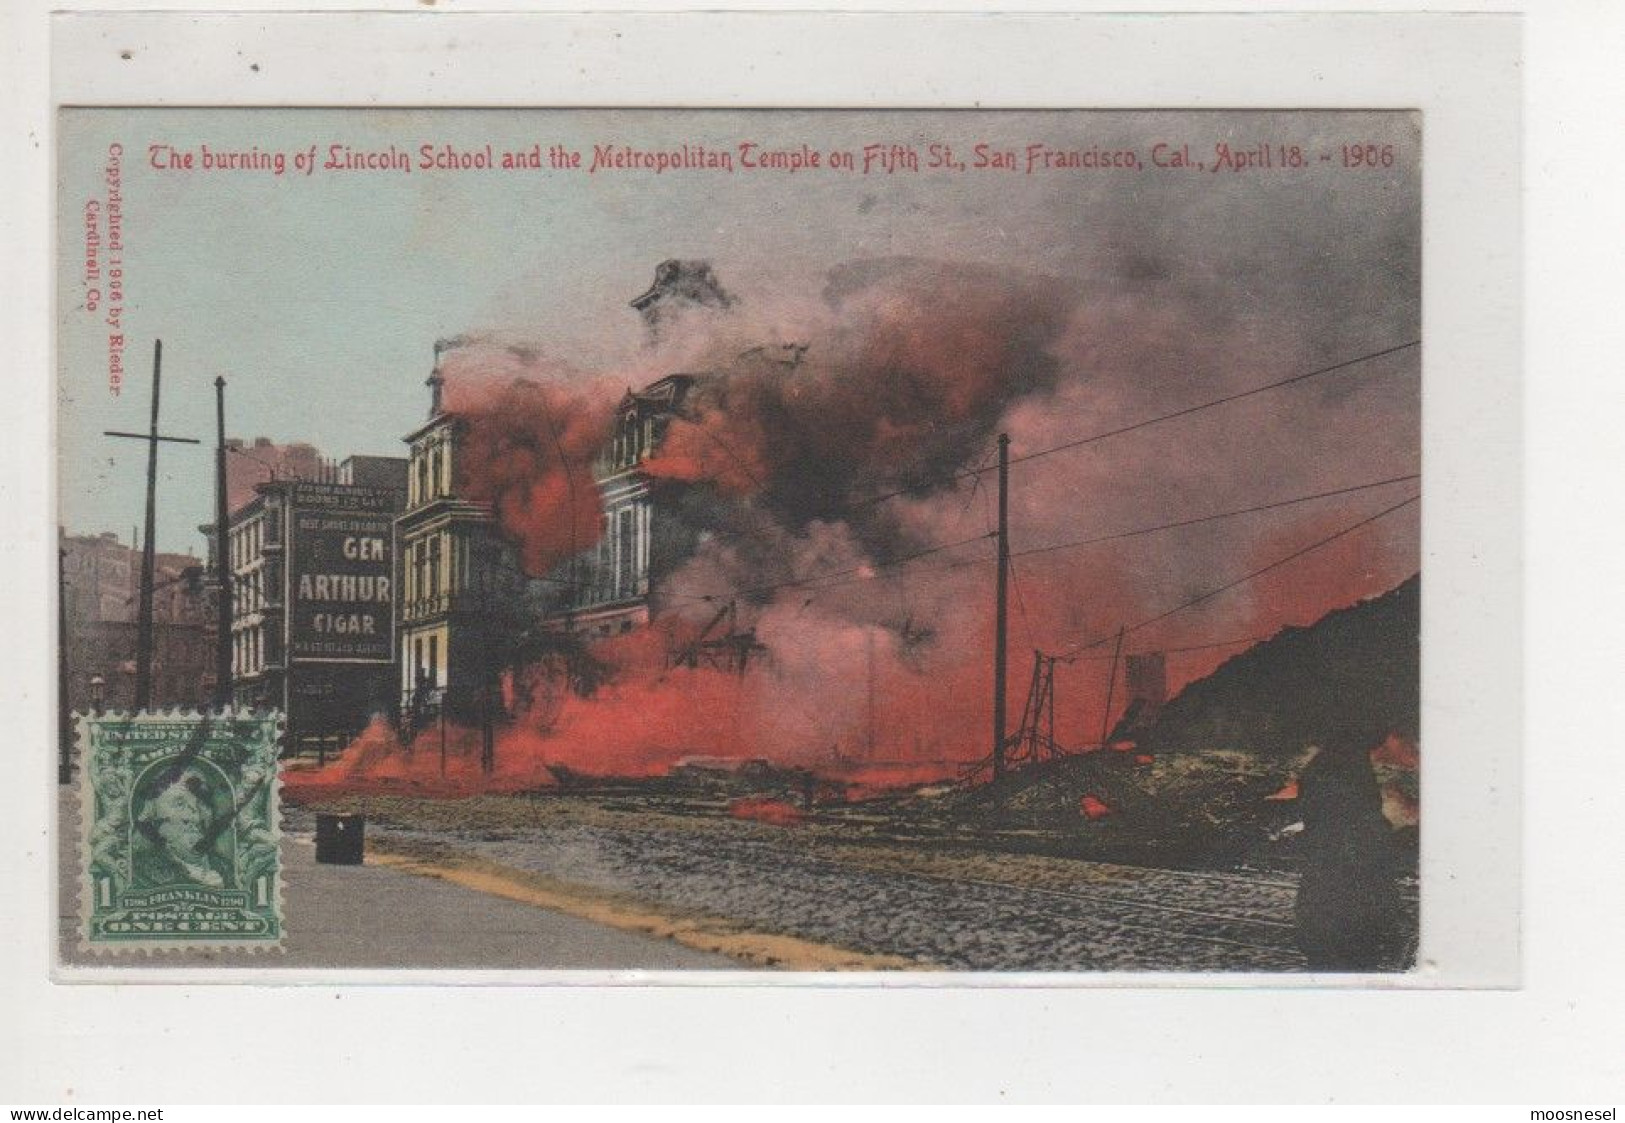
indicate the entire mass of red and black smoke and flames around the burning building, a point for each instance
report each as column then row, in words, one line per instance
column 901, row 379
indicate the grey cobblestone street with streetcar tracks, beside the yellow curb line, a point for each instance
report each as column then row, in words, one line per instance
column 1088, row 930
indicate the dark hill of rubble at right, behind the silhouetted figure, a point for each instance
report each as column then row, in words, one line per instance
column 1211, row 779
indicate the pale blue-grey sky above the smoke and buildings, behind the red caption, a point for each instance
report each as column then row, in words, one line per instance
column 321, row 298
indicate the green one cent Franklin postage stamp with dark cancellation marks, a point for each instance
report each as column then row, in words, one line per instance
column 181, row 831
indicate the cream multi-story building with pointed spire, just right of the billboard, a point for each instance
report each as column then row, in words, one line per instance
column 464, row 596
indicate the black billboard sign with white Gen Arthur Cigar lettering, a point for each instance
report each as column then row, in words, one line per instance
column 340, row 575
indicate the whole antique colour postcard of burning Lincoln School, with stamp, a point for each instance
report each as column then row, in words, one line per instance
column 742, row 540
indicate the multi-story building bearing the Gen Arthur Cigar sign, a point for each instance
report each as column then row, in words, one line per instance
column 314, row 599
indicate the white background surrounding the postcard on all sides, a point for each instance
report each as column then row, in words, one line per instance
column 1558, row 1039
